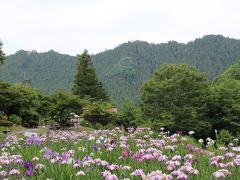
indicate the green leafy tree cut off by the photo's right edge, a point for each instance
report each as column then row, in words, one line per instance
column 224, row 102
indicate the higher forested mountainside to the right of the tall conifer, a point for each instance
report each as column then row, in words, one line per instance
column 124, row 68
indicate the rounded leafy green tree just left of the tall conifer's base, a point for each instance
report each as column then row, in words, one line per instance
column 61, row 105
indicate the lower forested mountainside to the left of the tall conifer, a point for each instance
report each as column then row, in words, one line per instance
column 47, row 71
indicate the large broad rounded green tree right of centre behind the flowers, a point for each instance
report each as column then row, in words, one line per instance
column 175, row 98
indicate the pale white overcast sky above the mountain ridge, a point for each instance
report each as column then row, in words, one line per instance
column 70, row 26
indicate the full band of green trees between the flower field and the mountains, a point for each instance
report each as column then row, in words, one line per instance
column 177, row 97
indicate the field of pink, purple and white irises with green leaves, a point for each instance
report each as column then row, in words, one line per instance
column 116, row 154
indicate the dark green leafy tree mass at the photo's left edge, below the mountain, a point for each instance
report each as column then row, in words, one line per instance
column 20, row 100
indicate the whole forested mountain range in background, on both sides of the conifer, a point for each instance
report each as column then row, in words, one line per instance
column 124, row 68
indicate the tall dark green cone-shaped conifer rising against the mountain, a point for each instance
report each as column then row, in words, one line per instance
column 86, row 82
